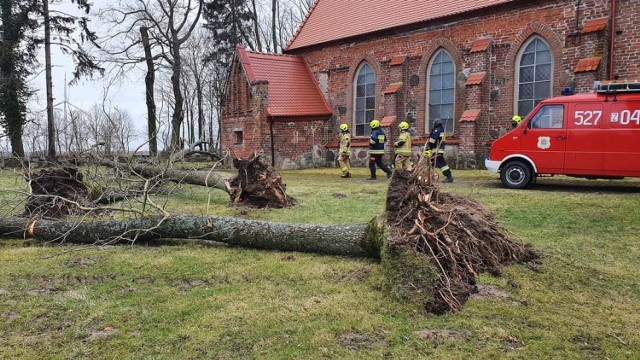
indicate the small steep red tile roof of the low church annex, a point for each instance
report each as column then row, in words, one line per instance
column 293, row 91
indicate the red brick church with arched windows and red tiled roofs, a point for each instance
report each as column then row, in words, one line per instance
column 471, row 63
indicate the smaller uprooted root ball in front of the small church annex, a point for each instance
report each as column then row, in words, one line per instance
column 257, row 185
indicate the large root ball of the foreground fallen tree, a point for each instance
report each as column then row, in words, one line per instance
column 440, row 242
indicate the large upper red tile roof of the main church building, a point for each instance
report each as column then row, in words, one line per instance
column 331, row 20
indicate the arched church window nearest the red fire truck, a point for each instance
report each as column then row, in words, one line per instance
column 534, row 69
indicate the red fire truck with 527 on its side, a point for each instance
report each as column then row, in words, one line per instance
column 595, row 136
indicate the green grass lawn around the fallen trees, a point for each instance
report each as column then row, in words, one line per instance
column 191, row 300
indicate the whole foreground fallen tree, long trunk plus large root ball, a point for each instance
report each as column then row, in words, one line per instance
column 438, row 243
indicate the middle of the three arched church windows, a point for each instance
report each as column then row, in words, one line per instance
column 441, row 91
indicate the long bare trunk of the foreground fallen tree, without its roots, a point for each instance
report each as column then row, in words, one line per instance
column 363, row 240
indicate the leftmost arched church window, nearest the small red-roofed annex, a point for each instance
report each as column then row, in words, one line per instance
column 365, row 99
